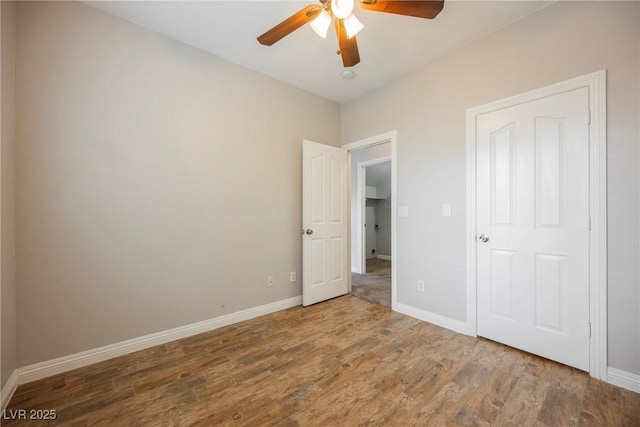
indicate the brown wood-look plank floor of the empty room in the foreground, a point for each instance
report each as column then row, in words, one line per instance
column 345, row 362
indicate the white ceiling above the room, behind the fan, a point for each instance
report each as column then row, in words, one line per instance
column 390, row 45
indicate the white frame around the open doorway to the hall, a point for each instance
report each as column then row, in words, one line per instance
column 392, row 138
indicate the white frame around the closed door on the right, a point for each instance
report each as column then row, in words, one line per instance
column 596, row 83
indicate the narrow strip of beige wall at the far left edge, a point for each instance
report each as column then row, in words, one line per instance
column 7, row 217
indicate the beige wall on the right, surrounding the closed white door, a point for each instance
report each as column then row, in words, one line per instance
column 427, row 108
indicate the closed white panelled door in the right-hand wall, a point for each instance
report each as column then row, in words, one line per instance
column 533, row 227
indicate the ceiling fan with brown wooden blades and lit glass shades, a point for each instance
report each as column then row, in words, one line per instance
column 346, row 23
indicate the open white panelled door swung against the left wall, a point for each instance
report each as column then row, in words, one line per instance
column 325, row 222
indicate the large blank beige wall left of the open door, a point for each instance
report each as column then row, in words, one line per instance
column 157, row 185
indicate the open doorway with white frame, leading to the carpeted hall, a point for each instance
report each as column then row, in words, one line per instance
column 372, row 225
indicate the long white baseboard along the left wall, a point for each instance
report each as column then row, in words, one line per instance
column 78, row 360
